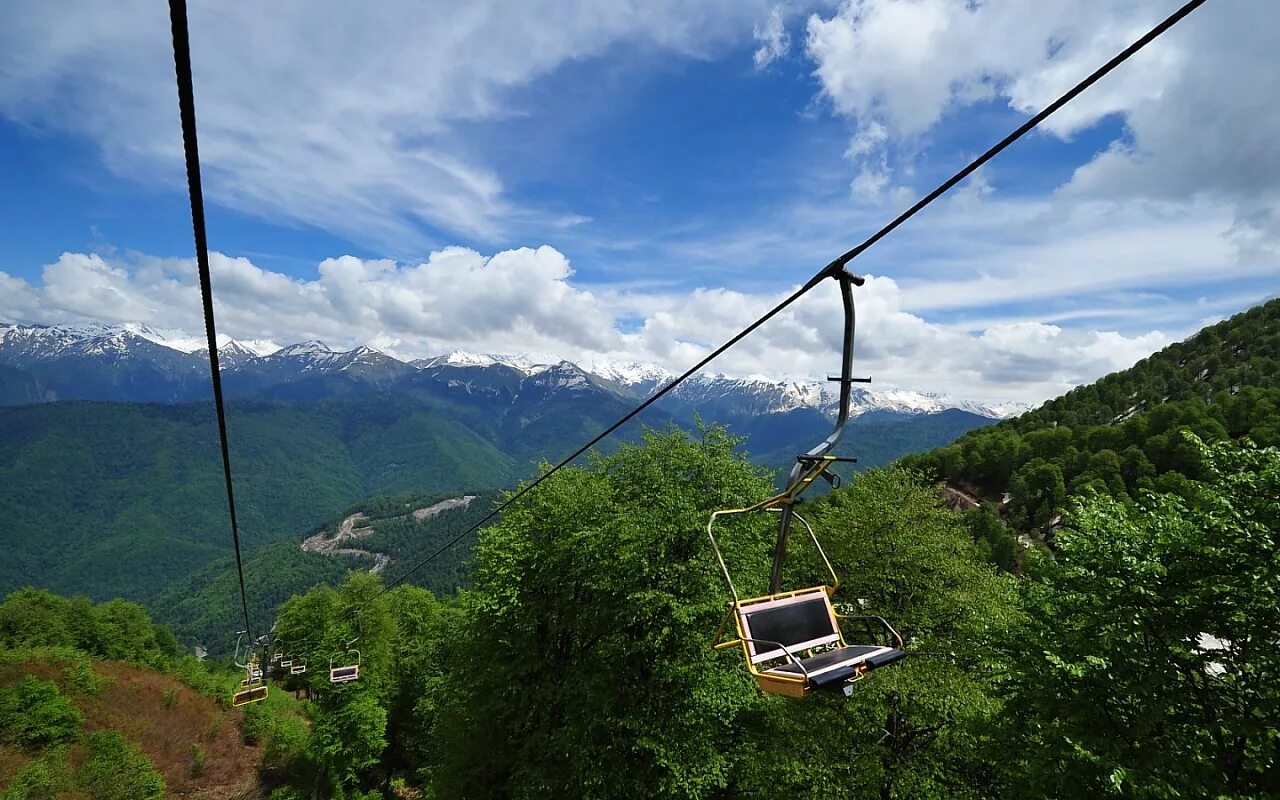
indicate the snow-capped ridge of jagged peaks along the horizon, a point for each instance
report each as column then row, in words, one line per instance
column 135, row 362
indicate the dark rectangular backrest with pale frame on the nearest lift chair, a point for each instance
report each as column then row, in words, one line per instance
column 801, row 621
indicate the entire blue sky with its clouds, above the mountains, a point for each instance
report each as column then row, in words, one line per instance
column 610, row 181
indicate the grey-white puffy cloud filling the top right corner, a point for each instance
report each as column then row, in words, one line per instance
column 1196, row 122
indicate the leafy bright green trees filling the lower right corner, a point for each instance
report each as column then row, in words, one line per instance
column 1149, row 664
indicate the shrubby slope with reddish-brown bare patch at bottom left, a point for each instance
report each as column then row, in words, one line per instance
column 98, row 702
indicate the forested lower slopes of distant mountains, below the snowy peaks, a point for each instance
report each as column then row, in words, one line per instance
column 121, row 500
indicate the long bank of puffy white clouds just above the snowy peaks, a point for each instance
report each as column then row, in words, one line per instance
column 527, row 301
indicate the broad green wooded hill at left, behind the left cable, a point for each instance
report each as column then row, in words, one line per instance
column 118, row 500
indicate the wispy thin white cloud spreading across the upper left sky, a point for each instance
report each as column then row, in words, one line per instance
column 324, row 113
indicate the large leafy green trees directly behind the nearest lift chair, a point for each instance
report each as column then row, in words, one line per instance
column 579, row 662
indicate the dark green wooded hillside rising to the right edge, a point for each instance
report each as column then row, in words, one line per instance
column 1122, row 435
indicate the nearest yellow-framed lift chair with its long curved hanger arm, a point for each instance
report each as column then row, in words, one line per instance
column 793, row 642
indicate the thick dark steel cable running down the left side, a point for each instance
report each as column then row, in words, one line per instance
column 188, row 111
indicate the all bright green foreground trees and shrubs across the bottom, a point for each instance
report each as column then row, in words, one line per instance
column 1139, row 661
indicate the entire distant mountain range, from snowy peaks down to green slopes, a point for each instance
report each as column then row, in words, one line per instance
column 111, row 474
